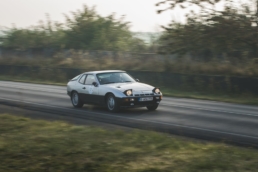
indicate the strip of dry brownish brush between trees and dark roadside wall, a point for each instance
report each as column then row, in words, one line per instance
column 137, row 62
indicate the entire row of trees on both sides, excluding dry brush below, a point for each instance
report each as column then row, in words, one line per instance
column 230, row 33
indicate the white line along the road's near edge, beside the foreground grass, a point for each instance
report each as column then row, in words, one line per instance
column 143, row 120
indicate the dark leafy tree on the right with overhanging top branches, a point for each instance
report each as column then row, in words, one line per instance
column 212, row 33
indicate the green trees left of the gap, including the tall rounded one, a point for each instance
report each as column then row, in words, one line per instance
column 83, row 29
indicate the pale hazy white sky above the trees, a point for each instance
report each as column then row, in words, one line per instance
column 141, row 13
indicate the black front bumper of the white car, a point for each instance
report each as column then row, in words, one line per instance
column 134, row 101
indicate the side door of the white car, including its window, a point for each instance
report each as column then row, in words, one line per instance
column 92, row 92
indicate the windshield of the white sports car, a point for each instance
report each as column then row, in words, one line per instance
column 114, row 77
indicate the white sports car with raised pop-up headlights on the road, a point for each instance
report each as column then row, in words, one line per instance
column 114, row 89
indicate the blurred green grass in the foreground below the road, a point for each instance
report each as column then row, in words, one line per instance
column 37, row 145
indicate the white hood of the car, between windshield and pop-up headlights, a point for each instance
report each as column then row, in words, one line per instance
column 135, row 86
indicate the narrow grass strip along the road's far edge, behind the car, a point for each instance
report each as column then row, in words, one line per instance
column 230, row 98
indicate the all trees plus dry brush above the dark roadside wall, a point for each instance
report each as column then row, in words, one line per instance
column 211, row 41
